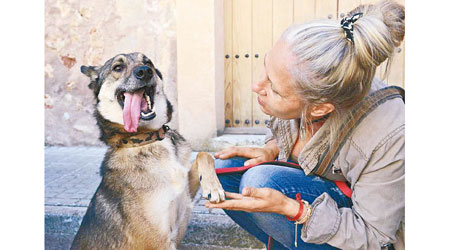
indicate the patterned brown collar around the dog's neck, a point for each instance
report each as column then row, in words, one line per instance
column 143, row 138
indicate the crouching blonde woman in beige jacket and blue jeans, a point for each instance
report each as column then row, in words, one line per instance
column 313, row 79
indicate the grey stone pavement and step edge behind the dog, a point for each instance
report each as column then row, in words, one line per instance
column 71, row 178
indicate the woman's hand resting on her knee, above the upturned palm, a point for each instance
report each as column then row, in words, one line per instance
column 256, row 155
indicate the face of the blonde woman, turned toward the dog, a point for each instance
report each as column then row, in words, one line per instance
column 276, row 93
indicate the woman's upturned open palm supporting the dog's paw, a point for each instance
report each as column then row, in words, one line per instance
column 258, row 200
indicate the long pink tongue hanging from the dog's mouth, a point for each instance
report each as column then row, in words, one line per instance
column 132, row 110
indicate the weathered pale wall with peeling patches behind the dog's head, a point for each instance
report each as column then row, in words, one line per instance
column 89, row 33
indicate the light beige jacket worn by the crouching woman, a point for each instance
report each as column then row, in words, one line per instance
column 372, row 160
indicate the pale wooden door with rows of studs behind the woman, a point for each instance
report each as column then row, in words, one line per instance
column 251, row 29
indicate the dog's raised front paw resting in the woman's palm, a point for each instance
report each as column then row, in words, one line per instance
column 211, row 187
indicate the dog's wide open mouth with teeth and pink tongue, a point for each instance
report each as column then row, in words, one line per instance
column 138, row 105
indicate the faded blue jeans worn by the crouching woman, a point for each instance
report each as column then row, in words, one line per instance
column 289, row 181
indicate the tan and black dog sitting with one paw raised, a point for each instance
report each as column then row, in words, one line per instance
column 144, row 200
